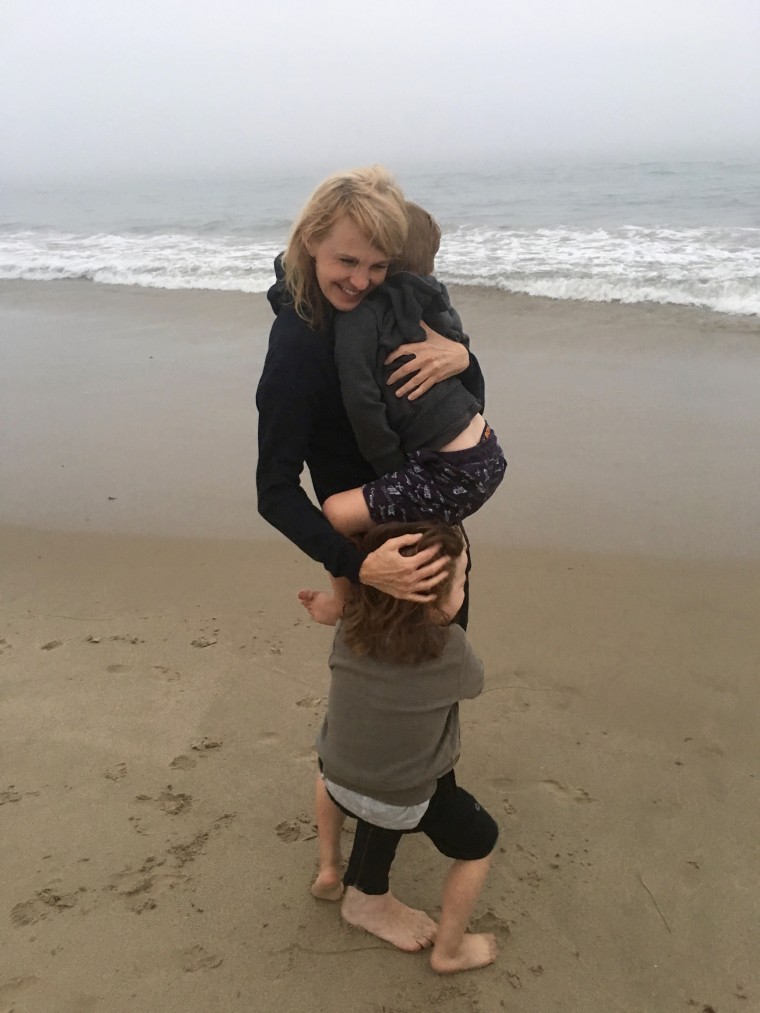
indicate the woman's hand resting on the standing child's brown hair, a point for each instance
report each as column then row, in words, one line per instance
column 411, row 578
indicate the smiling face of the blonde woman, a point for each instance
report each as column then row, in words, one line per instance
column 348, row 267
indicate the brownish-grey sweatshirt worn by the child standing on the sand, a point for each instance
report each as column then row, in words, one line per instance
column 392, row 731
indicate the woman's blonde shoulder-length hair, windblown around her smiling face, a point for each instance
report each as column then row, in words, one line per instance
column 372, row 200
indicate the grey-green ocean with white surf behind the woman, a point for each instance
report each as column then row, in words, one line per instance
column 685, row 233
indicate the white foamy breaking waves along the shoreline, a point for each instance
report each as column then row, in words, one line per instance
column 711, row 268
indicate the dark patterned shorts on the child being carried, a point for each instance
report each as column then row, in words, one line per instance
column 440, row 486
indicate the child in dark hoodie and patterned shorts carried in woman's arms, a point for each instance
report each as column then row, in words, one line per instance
column 436, row 456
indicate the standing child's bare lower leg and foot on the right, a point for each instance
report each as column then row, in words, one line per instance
column 458, row 950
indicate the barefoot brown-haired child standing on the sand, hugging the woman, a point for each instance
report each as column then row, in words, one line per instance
column 388, row 751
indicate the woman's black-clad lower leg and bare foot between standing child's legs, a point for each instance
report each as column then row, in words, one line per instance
column 368, row 903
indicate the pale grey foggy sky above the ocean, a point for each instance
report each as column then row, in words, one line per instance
column 93, row 88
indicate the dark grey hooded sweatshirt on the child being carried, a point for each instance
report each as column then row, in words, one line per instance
column 388, row 428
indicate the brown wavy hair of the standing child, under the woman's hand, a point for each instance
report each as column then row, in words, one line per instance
column 393, row 630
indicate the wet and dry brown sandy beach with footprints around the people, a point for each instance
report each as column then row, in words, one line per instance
column 162, row 688
